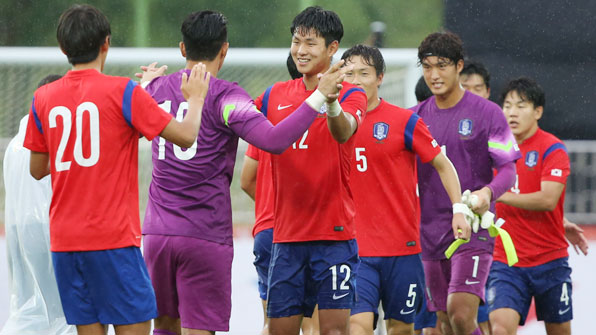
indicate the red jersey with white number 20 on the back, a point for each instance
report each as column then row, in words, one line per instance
column 90, row 123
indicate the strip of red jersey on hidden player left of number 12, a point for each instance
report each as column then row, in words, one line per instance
column 264, row 190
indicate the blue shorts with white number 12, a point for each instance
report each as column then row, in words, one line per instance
column 304, row 274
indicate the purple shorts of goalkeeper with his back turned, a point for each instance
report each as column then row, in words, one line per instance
column 192, row 279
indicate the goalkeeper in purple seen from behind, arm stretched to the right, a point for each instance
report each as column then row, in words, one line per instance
column 188, row 221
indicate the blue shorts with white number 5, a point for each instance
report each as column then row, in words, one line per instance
column 384, row 279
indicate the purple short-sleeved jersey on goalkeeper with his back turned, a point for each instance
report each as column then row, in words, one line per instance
column 189, row 193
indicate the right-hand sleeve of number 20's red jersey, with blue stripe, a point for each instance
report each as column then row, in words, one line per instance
column 145, row 114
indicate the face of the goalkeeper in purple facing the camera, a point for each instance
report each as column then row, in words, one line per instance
column 441, row 75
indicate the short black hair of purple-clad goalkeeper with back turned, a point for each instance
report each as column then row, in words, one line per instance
column 203, row 34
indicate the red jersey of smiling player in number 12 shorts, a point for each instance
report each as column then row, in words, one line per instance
column 313, row 200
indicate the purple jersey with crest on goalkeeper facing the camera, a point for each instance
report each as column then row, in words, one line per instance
column 476, row 137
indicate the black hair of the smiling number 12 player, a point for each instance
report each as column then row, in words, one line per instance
column 324, row 23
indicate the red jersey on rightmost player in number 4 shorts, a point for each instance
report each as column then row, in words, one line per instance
column 538, row 236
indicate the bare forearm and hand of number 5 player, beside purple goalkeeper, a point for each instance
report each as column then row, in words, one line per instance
column 450, row 180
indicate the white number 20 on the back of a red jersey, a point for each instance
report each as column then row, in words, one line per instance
column 66, row 116
